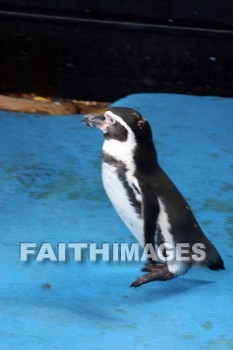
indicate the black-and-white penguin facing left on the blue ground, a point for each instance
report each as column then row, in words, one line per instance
column 146, row 199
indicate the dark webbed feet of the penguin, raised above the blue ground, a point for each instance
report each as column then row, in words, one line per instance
column 160, row 273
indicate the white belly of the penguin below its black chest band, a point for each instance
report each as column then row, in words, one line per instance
column 121, row 192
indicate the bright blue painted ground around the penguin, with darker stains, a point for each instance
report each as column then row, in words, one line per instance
column 51, row 191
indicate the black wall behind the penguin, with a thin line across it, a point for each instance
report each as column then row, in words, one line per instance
column 103, row 50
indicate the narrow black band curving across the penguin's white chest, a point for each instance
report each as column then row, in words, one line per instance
column 121, row 173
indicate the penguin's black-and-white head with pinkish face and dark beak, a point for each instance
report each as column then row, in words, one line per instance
column 121, row 124
